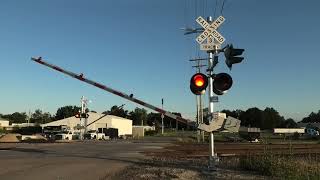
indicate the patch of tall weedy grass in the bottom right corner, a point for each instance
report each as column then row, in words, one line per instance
column 283, row 166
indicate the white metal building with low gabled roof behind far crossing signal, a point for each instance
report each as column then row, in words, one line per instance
column 123, row 125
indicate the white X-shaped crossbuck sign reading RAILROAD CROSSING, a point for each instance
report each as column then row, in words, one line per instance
column 210, row 30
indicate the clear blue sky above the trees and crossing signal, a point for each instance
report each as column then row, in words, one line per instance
column 136, row 46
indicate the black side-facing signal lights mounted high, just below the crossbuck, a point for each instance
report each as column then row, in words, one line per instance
column 232, row 54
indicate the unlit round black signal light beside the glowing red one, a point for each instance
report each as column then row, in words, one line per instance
column 221, row 83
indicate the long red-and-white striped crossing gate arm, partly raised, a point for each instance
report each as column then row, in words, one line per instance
column 108, row 89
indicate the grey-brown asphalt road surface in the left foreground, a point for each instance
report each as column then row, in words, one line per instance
column 62, row 161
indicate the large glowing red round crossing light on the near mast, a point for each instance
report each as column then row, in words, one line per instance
column 198, row 83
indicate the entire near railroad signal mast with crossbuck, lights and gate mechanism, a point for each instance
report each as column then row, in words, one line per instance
column 217, row 84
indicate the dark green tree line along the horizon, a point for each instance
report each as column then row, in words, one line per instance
column 268, row 118
